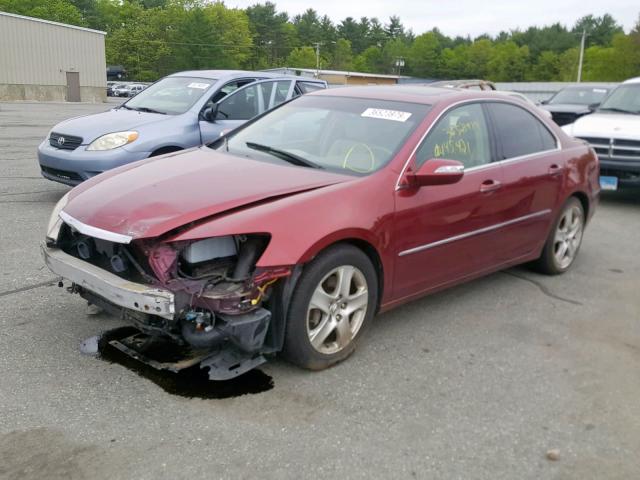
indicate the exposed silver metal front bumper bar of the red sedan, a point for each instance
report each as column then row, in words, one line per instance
column 121, row 292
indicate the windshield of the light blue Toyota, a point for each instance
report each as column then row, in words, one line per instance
column 172, row 95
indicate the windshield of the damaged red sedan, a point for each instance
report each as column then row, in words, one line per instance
column 347, row 135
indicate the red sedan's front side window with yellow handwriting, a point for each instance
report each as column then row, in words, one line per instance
column 462, row 135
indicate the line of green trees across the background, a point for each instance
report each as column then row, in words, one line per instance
column 152, row 38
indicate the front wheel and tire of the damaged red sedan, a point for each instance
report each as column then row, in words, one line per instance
column 336, row 320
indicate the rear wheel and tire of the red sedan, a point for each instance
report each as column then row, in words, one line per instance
column 564, row 240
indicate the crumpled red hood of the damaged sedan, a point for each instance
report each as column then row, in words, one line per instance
column 151, row 197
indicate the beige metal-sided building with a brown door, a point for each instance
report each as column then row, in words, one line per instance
column 50, row 61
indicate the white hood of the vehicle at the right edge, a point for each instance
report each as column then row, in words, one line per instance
column 607, row 125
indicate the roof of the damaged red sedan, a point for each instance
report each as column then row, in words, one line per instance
column 405, row 93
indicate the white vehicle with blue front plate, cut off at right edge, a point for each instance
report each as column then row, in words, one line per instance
column 614, row 133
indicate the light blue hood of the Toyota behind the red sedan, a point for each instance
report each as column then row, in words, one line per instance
column 90, row 127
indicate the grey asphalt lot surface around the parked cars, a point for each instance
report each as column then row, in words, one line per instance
column 479, row 381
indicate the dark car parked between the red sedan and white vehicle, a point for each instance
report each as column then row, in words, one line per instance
column 575, row 101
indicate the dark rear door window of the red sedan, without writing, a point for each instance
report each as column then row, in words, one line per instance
column 518, row 132
